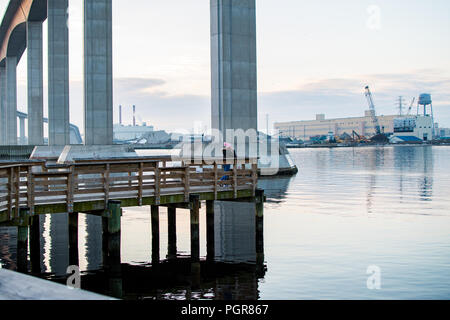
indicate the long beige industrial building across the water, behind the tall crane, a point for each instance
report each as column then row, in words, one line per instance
column 321, row 126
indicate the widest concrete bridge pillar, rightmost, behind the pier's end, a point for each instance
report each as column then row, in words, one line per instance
column 233, row 65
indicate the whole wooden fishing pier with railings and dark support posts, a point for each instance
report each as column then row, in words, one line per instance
column 29, row 189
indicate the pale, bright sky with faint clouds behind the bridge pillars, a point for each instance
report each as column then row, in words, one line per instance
column 313, row 57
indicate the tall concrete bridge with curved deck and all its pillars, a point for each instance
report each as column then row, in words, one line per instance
column 233, row 59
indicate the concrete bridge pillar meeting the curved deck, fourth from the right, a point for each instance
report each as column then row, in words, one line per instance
column 35, row 84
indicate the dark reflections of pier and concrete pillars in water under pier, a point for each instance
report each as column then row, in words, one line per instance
column 233, row 274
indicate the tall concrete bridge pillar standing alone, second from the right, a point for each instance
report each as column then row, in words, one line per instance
column 98, row 81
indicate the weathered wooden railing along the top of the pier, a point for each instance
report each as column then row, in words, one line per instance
column 30, row 185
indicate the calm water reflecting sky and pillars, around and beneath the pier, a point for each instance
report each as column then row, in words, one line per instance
column 346, row 210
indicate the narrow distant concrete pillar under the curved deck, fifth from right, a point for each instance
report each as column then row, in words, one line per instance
column 11, row 100
